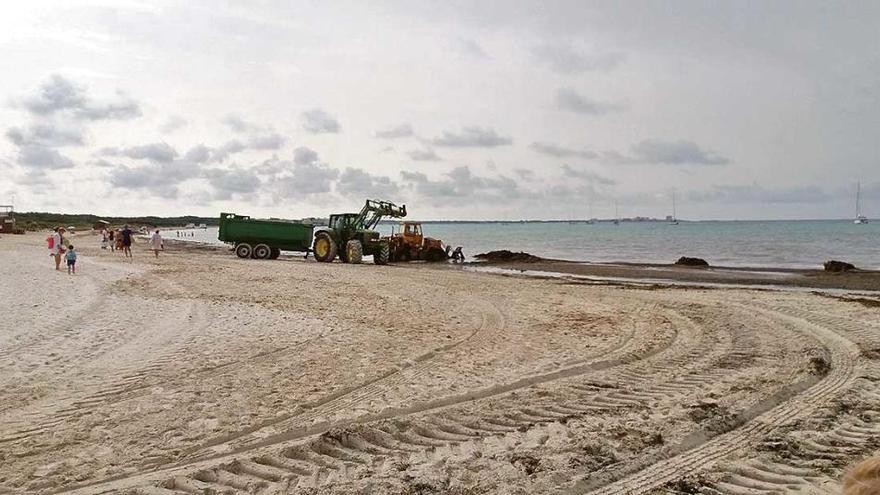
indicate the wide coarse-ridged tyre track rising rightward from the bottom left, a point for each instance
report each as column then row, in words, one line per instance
column 329, row 457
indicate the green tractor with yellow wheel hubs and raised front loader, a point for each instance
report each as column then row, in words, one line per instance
column 351, row 236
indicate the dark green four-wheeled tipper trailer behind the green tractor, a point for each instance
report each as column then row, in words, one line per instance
column 264, row 239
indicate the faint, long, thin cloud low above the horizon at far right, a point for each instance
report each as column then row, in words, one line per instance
column 754, row 193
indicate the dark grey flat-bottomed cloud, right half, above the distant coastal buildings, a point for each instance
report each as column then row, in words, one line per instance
column 655, row 151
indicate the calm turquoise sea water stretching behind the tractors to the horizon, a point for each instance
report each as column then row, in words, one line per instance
column 794, row 244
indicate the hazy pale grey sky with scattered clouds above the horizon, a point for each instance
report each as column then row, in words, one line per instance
column 466, row 110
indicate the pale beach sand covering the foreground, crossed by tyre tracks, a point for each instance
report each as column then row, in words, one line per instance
column 203, row 373
